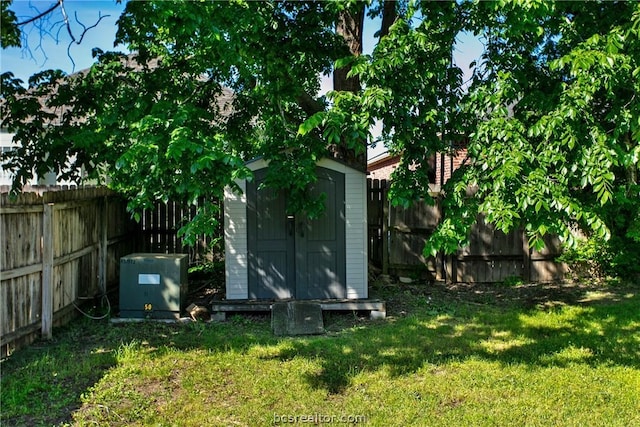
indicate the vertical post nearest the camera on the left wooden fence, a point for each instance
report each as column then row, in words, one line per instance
column 47, row 271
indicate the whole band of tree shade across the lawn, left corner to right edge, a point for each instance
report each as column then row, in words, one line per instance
column 44, row 384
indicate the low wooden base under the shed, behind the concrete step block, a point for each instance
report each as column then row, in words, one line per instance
column 376, row 308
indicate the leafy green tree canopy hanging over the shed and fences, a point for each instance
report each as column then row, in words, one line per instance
column 551, row 116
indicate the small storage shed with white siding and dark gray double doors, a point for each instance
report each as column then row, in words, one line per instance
column 270, row 255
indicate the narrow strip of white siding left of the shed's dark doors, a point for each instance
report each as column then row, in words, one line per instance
column 235, row 242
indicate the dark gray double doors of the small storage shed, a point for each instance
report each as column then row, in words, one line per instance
column 290, row 256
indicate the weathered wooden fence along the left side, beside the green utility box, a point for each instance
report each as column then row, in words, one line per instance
column 58, row 247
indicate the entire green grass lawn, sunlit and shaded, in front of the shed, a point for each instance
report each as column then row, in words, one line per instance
column 535, row 355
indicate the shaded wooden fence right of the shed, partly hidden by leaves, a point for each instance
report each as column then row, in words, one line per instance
column 397, row 237
